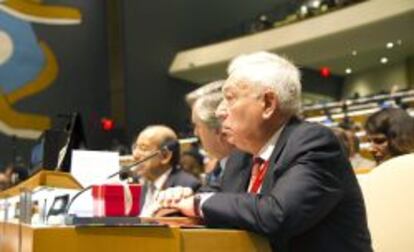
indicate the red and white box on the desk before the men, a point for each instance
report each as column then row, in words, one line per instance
column 116, row 200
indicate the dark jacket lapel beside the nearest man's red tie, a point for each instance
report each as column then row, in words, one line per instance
column 274, row 158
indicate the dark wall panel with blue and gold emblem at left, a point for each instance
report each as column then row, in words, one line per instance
column 53, row 60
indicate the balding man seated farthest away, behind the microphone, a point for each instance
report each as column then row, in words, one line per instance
column 162, row 171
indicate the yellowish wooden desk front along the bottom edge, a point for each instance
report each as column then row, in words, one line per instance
column 15, row 238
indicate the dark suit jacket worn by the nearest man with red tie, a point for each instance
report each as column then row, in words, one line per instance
column 310, row 199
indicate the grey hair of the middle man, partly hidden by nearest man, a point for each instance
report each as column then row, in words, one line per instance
column 205, row 109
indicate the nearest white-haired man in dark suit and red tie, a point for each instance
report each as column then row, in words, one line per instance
column 301, row 192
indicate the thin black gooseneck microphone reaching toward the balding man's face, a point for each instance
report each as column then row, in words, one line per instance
column 170, row 145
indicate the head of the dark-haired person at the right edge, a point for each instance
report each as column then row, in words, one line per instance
column 391, row 133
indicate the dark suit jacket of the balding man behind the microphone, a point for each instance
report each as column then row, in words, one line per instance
column 177, row 177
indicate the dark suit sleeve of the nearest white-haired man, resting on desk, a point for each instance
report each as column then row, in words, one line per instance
column 308, row 189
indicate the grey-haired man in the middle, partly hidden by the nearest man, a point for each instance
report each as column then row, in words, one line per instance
column 207, row 127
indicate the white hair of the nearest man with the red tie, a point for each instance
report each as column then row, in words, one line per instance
column 269, row 70
